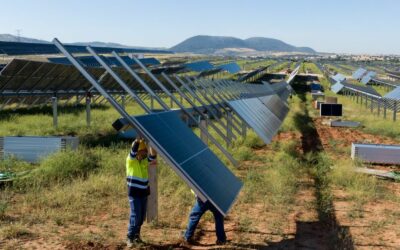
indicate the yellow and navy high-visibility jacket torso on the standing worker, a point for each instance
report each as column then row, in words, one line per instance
column 137, row 176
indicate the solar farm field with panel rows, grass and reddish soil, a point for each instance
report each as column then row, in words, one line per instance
column 258, row 150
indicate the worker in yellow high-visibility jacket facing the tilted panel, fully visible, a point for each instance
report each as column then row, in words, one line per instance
column 137, row 164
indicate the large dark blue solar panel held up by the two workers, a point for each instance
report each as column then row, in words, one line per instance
column 195, row 161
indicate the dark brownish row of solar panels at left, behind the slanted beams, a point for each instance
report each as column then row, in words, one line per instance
column 23, row 75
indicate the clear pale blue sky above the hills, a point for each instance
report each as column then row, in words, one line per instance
column 349, row 26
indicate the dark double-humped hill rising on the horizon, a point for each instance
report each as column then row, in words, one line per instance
column 212, row 44
